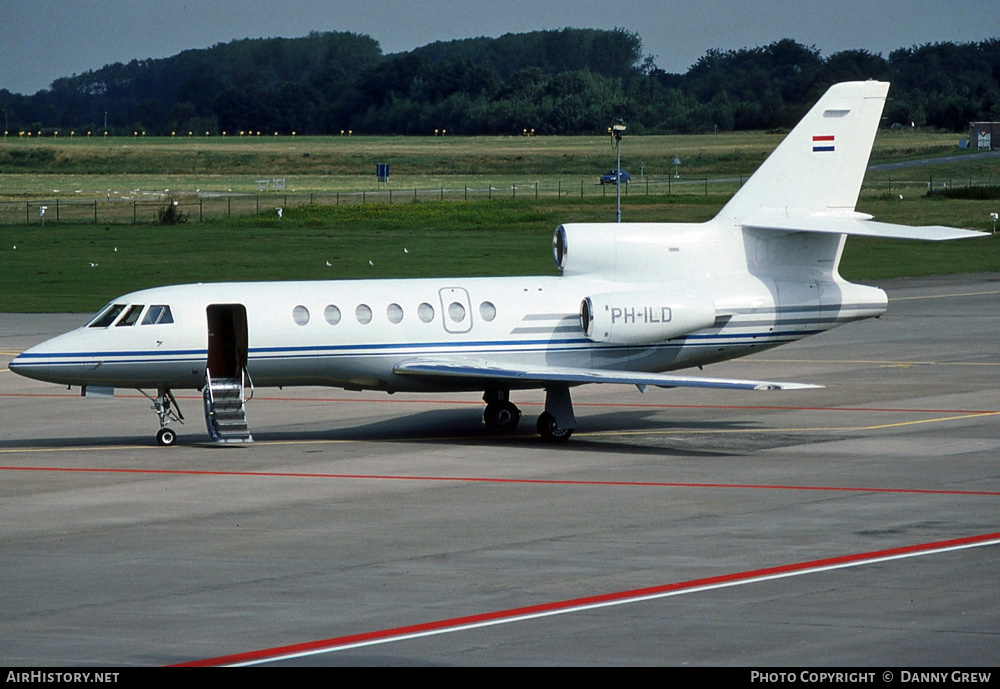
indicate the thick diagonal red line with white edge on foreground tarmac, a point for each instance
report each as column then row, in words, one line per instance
column 620, row 597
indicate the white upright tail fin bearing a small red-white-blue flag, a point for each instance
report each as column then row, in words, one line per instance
column 820, row 165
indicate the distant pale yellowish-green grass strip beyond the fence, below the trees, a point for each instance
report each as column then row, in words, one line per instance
column 73, row 166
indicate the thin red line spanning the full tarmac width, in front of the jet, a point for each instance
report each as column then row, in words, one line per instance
column 500, row 480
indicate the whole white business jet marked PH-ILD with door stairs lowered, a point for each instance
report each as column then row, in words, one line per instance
column 633, row 301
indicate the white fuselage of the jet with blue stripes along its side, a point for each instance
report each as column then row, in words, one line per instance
column 352, row 334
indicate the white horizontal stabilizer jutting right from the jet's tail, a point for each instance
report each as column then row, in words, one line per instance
column 857, row 225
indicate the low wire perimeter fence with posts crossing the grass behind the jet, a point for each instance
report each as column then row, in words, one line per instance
column 147, row 208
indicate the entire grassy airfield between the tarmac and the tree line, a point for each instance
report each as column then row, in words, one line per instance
column 50, row 268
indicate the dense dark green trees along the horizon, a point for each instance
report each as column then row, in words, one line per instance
column 553, row 82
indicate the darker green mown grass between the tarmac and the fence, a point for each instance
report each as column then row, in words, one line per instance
column 51, row 268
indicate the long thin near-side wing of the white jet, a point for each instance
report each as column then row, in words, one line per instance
column 472, row 369
